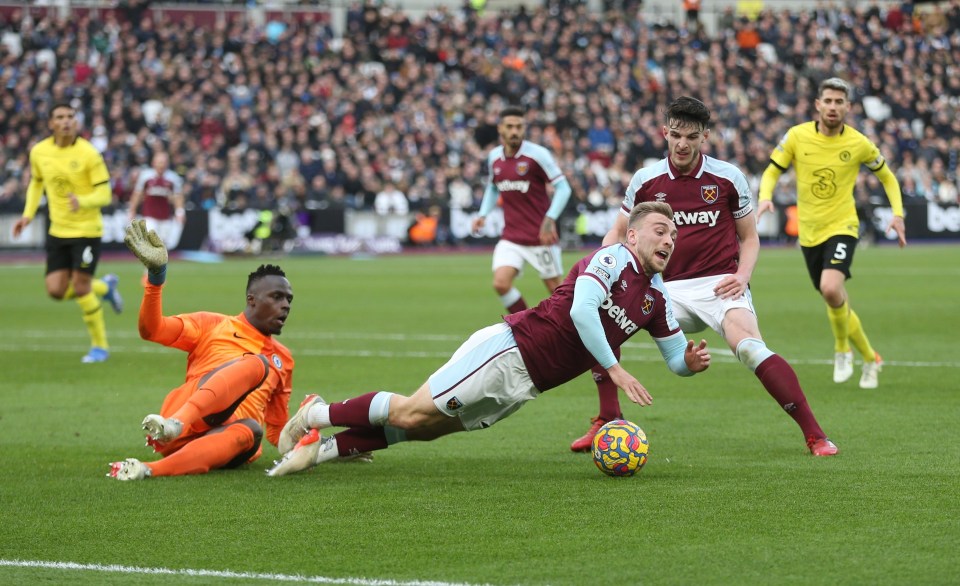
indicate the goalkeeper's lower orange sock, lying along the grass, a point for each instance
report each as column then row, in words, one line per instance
column 214, row 450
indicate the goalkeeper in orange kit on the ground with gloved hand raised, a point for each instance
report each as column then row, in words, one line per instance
column 238, row 378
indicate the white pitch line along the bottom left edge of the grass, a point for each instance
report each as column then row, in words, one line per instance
column 267, row 577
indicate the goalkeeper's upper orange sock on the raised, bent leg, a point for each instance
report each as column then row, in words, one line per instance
column 223, row 388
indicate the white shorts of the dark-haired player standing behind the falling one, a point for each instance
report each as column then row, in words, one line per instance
column 697, row 307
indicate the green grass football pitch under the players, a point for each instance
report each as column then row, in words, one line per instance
column 730, row 494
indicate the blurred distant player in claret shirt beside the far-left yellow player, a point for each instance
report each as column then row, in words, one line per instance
column 160, row 190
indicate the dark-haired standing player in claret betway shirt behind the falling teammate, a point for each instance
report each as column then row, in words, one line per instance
column 717, row 248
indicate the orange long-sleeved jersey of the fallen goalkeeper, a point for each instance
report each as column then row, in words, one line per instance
column 211, row 339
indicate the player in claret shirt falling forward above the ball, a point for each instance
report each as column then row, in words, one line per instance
column 607, row 297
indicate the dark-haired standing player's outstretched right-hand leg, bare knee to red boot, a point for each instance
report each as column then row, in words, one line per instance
column 742, row 334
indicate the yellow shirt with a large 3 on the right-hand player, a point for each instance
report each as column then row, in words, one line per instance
column 826, row 168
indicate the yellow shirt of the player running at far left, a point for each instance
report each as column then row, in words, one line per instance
column 78, row 169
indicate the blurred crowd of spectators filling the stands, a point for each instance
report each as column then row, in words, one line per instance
column 290, row 115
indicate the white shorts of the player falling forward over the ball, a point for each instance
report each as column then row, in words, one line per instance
column 484, row 381
